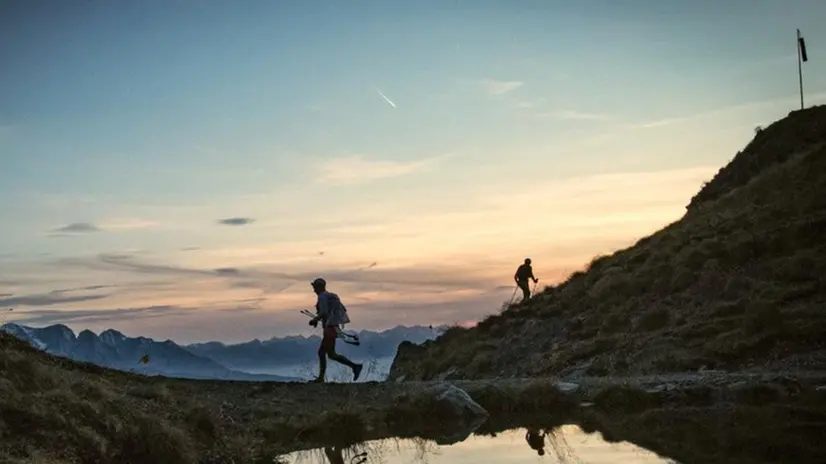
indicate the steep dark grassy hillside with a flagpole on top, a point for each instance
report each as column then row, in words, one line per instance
column 738, row 283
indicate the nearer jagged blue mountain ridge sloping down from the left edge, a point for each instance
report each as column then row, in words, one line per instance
column 115, row 350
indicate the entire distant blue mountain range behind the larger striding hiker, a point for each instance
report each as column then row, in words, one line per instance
column 209, row 360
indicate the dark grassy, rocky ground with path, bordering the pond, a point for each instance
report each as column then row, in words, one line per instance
column 55, row 410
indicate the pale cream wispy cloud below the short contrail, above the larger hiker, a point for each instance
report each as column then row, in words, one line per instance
column 357, row 169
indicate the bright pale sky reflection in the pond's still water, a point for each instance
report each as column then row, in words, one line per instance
column 569, row 444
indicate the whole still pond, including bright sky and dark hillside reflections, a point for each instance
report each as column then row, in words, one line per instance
column 734, row 433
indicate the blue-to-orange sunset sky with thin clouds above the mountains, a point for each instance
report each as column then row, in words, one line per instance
column 182, row 170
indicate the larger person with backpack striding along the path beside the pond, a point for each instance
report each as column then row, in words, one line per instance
column 332, row 313
